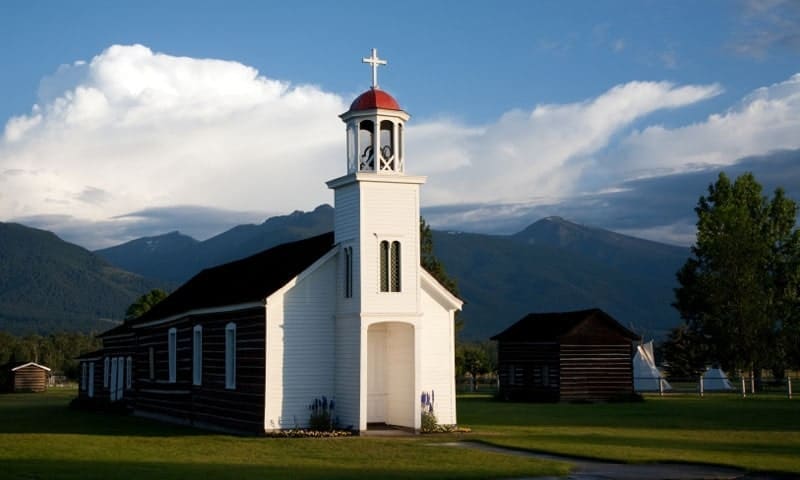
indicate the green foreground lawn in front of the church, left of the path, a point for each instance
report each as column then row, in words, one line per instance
column 40, row 437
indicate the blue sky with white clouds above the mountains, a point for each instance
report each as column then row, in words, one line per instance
column 127, row 119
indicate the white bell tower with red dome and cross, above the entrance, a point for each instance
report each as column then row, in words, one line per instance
column 377, row 208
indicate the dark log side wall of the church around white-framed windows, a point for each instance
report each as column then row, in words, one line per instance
column 209, row 405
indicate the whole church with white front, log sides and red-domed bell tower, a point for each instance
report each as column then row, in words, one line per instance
column 349, row 315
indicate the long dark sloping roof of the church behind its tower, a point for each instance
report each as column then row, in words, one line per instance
column 247, row 280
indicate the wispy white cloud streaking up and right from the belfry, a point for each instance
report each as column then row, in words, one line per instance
column 543, row 152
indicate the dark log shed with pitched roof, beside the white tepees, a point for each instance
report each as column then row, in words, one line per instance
column 565, row 356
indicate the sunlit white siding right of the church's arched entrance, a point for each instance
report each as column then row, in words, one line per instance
column 437, row 350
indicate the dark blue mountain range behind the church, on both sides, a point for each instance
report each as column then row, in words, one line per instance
column 47, row 284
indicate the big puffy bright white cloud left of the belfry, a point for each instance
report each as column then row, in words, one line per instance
column 133, row 129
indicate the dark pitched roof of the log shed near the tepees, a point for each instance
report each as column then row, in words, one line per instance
column 549, row 327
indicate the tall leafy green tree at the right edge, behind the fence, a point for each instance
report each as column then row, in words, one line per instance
column 738, row 291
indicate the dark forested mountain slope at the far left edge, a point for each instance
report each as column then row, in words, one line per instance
column 48, row 285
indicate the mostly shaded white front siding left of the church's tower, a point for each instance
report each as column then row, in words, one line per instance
column 301, row 354
